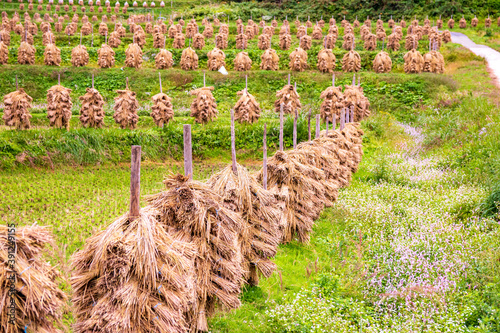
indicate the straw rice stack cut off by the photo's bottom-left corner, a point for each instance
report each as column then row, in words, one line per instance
column 39, row 301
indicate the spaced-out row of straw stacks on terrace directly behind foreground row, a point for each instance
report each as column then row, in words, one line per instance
column 203, row 108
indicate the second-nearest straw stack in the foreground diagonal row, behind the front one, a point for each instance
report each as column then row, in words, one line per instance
column 192, row 212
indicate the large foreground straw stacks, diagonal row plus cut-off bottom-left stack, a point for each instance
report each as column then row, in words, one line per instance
column 188, row 253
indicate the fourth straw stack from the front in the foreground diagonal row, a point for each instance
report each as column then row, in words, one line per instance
column 303, row 186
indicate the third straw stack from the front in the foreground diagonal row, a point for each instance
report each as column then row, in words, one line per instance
column 260, row 233
